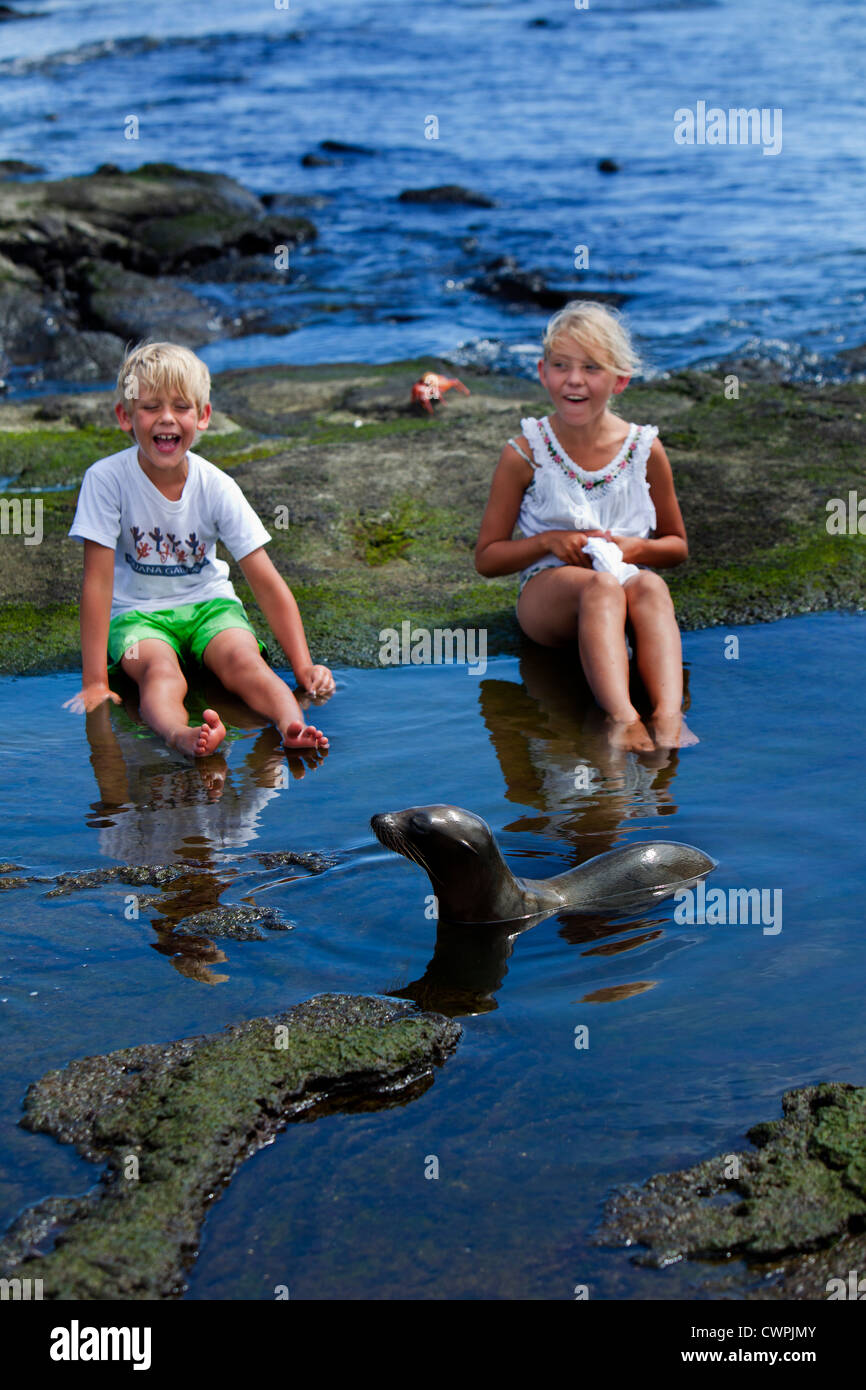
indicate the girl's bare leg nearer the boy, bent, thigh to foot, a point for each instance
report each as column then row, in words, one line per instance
column 571, row 601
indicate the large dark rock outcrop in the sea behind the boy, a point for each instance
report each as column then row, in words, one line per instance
column 67, row 245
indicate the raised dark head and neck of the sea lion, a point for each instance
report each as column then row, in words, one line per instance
column 457, row 849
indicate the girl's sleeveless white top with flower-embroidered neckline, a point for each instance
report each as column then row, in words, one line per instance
column 564, row 497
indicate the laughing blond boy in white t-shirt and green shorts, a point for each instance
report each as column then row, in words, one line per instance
column 154, row 591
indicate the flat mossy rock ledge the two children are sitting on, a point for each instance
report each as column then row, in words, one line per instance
column 375, row 508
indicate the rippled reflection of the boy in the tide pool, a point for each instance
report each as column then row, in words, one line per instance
column 156, row 808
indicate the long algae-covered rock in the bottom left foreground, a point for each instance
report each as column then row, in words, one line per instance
column 173, row 1122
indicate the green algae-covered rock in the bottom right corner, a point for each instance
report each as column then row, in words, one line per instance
column 790, row 1202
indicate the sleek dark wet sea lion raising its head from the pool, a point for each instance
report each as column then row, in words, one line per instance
column 475, row 886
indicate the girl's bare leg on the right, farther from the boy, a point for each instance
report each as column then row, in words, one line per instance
column 660, row 655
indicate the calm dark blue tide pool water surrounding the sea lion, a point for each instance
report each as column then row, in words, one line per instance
column 694, row 1031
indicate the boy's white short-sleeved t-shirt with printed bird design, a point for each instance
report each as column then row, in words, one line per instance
column 166, row 553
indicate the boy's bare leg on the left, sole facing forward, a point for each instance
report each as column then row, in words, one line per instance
column 162, row 689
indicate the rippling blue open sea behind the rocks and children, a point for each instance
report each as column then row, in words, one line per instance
column 722, row 250
